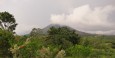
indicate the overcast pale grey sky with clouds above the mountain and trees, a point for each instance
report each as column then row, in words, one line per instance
column 92, row 16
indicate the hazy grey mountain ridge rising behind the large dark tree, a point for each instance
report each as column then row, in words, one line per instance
column 44, row 30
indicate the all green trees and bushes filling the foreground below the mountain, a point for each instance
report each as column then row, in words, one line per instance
column 61, row 42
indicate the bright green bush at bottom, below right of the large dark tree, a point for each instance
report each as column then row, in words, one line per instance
column 79, row 51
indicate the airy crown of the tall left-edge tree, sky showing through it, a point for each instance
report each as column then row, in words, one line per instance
column 7, row 21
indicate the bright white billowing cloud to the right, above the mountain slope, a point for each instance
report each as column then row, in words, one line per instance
column 87, row 18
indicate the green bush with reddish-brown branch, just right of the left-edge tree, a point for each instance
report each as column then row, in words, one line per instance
column 25, row 49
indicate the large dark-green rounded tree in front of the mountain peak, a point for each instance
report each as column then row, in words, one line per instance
column 62, row 36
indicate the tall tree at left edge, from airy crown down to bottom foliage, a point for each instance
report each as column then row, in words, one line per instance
column 7, row 26
